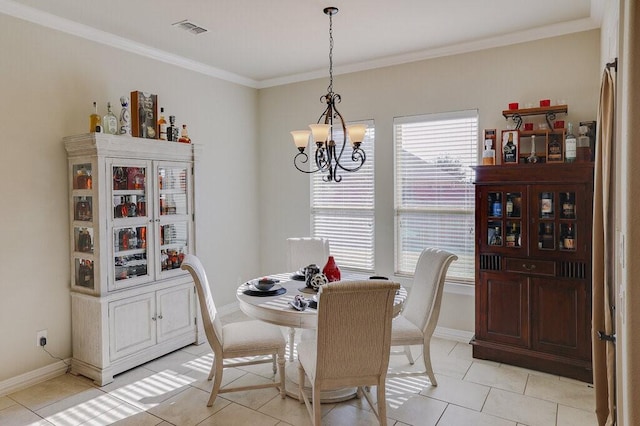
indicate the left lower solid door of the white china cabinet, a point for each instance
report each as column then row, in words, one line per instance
column 132, row 325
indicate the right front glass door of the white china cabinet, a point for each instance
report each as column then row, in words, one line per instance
column 174, row 213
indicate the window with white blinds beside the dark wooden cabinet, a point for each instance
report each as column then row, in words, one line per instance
column 434, row 192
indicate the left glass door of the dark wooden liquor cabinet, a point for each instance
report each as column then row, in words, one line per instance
column 503, row 228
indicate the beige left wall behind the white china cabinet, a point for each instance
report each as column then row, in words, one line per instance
column 48, row 81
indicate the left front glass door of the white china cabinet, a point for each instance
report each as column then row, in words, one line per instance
column 130, row 219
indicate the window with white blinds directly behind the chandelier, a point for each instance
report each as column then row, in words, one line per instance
column 343, row 212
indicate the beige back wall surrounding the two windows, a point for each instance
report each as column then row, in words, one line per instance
column 560, row 68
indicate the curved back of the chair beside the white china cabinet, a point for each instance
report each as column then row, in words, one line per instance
column 211, row 320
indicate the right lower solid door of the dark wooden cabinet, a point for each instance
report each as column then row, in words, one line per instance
column 561, row 317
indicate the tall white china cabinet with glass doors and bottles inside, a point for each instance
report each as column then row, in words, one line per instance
column 131, row 223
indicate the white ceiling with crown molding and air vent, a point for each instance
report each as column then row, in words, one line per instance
column 262, row 43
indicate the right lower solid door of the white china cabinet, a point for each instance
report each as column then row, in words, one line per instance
column 176, row 314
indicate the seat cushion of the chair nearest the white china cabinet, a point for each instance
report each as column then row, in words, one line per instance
column 248, row 336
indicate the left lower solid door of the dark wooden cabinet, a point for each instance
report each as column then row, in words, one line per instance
column 503, row 314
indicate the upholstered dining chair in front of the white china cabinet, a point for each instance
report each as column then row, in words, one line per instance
column 240, row 339
